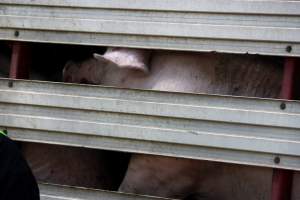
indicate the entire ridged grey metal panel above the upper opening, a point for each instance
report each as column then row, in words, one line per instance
column 264, row 27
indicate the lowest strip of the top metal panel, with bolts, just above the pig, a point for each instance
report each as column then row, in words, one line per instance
column 187, row 44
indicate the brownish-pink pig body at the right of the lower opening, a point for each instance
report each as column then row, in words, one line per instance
column 175, row 178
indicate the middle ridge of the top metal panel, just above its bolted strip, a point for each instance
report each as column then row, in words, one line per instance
column 153, row 28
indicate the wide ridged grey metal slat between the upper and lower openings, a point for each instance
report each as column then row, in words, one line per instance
column 229, row 129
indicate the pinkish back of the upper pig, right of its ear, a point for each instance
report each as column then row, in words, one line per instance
column 225, row 74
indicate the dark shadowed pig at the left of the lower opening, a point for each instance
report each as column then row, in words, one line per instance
column 75, row 166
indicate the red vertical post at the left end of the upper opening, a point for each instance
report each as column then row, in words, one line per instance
column 20, row 61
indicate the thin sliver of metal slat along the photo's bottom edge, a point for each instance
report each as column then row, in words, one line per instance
column 59, row 192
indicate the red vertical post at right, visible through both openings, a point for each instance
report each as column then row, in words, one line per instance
column 283, row 179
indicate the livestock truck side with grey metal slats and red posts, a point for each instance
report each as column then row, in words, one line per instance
column 40, row 36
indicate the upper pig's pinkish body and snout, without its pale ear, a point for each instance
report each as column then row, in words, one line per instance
column 185, row 72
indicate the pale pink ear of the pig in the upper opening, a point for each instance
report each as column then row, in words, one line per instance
column 137, row 59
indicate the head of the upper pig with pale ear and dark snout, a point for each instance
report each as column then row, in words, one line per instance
column 116, row 67
